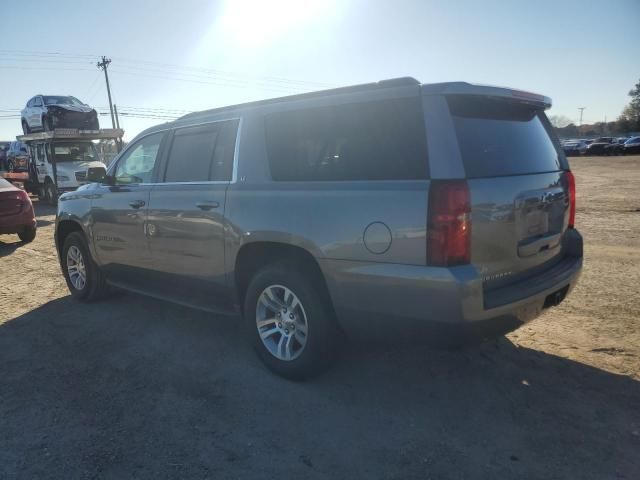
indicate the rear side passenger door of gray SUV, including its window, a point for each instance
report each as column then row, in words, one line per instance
column 186, row 214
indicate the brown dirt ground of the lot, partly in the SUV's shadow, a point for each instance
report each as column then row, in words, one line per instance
column 136, row 388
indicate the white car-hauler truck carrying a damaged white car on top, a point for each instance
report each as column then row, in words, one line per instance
column 61, row 159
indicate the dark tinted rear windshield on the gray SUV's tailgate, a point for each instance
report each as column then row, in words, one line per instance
column 499, row 137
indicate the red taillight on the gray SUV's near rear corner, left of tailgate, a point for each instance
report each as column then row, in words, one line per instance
column 449, row 224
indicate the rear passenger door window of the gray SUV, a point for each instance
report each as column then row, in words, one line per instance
column 202, row 153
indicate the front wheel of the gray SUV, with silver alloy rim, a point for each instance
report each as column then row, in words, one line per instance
column 84, row 278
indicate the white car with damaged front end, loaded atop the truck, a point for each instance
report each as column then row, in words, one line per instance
column 47, row 112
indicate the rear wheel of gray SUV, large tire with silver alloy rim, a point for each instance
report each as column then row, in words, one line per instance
column 290, row 322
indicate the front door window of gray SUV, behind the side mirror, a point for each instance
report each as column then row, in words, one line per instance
column 136, row 166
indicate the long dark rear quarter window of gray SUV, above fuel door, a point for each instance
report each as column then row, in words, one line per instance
column 382, row 140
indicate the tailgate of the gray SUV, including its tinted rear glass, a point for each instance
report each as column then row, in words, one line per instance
column 518, row 185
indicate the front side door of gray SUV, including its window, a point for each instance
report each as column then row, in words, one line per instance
column 119, row 213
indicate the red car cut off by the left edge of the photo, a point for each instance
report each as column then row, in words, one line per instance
column 16, row 212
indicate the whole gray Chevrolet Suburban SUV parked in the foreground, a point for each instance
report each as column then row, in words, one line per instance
column 392, row 208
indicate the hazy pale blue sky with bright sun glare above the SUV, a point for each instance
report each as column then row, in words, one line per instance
column 170, row 58
